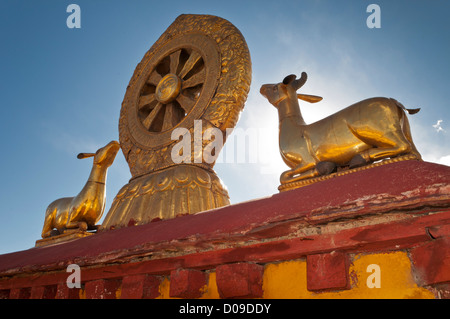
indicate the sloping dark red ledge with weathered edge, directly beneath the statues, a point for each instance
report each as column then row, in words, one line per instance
column 370, row 191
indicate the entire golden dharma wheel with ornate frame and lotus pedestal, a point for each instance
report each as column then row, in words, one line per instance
column 198, row 70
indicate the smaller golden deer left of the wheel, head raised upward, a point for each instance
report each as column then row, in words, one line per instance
column 84, row 210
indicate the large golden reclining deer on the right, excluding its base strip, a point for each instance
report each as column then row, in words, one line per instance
column 362, row 133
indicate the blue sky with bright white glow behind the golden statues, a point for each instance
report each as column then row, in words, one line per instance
column 62, row 89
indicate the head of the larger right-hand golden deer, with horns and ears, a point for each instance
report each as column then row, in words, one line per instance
column 275, row 93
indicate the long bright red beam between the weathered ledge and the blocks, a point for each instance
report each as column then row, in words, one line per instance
column 390, row 236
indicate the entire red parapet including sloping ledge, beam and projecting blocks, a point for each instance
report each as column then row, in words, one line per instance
column 267, row 230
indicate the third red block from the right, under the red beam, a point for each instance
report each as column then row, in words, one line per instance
column 240, row 280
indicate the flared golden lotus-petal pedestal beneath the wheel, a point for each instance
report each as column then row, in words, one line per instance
column 168, row 193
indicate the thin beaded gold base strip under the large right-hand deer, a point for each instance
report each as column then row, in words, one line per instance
column 306, row 182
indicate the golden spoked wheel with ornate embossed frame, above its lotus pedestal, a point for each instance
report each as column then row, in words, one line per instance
column 199, row 69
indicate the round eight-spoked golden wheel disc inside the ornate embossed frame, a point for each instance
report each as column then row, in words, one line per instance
column 174, row 89
